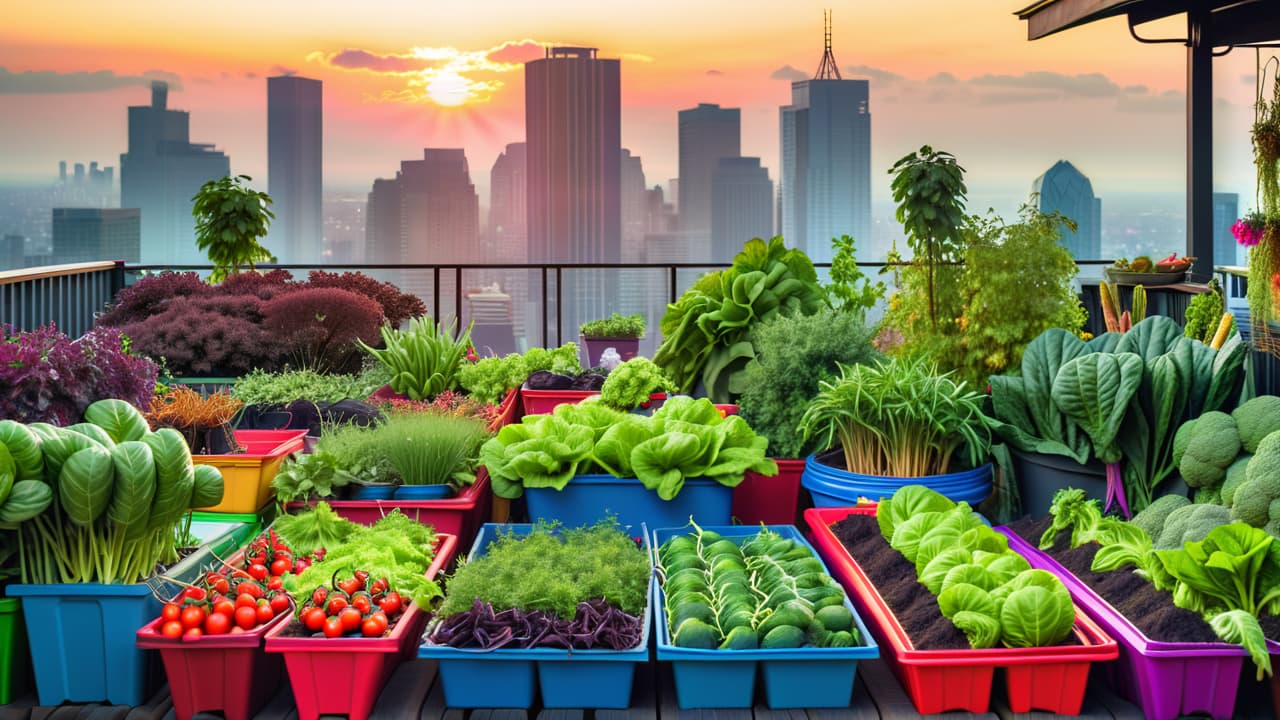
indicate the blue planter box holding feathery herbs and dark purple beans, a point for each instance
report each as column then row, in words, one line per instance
column 579, row 678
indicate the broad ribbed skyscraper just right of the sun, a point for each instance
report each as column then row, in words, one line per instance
column 573, row 127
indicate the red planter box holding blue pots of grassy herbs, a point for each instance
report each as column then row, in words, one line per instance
column 460, row 516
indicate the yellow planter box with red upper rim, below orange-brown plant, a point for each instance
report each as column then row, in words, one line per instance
column 248, row 476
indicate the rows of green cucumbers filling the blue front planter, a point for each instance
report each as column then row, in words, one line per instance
column 762, row 591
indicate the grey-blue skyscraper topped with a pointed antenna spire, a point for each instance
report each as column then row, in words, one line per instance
column 826, row 181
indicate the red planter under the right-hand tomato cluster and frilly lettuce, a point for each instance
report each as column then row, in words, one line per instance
column 345, row 676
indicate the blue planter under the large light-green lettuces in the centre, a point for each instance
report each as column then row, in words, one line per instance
column 588, row 499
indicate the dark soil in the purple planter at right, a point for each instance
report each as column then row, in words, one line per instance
column 1151, row 610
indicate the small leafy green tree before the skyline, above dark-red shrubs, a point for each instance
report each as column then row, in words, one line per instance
column 231, row 220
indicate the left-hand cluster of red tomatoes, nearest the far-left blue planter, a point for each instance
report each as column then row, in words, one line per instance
column 222, row 607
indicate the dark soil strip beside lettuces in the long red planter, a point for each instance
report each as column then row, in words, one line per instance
column 894, row 576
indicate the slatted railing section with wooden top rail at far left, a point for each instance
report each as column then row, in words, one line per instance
column 70, row 297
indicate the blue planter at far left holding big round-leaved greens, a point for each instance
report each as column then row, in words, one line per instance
column 83, row 637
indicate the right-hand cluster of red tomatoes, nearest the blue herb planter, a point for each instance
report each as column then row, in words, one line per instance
column 353, row 608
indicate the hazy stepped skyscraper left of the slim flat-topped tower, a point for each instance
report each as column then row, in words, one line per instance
column 162, row 172
